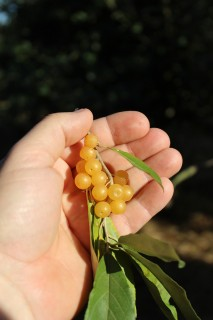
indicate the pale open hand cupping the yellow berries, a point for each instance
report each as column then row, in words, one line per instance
column 45, row 268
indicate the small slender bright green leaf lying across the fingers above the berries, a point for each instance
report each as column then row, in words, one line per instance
column 136, row 162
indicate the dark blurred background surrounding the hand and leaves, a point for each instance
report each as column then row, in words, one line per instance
column 151, row 56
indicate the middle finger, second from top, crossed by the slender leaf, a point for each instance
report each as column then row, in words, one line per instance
column 143, row 148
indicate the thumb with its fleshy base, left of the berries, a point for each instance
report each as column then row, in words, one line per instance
column 30, row 191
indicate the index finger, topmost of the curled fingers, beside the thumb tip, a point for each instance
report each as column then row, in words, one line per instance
column 121, row 127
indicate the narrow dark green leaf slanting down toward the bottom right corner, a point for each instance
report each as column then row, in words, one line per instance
column 177, row 293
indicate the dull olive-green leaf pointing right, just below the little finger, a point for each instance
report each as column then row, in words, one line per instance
column 147, row 245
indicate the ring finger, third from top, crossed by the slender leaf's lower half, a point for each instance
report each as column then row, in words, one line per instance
column 166, row 163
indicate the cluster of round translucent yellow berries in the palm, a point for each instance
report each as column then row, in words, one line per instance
column 109, row 196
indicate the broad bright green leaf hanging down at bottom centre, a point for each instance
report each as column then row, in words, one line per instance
column 111, row 297
